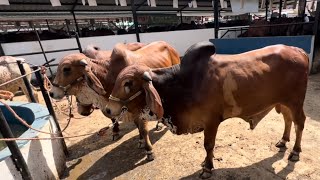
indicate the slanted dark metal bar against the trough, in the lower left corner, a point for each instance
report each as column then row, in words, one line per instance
column 16, row 155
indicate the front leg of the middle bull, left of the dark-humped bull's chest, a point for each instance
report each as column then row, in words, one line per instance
column 144, row 132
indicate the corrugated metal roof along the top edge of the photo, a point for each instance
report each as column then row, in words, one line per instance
column 108, row 7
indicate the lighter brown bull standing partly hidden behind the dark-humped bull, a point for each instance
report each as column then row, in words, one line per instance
column 101, row 76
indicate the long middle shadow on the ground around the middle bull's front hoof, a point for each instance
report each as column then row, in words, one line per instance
column 125, row 157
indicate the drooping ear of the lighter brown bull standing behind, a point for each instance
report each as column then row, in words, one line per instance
column 91, row 79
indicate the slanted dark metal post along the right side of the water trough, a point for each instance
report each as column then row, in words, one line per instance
column 49, row 106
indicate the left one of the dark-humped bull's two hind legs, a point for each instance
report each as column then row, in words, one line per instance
column 287, row 116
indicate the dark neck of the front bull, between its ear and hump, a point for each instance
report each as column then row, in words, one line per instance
column 176, row 90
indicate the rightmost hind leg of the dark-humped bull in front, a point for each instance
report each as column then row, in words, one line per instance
column 299, row 120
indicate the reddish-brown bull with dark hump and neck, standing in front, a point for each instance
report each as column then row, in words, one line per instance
column 208, row 88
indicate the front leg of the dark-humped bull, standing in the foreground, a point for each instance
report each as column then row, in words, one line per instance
column 209, row 142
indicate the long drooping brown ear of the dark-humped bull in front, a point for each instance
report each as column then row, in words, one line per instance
column 153, row 99
